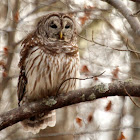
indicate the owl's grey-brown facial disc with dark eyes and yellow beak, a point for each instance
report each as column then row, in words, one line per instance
column 59, row 29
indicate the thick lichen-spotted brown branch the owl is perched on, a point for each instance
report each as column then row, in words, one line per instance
column 82, row 95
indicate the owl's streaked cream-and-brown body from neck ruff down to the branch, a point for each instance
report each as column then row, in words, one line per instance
column 45, row 66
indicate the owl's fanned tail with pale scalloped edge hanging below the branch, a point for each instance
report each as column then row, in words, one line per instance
column 38, row 122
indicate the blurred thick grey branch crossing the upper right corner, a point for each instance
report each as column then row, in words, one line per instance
column 126, row 12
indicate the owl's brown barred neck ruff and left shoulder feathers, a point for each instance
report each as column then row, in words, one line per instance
column 49, row 47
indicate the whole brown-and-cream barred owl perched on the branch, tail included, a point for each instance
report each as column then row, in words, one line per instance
column 48, row 57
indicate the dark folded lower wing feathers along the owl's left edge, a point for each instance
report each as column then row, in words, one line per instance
column 21, row 85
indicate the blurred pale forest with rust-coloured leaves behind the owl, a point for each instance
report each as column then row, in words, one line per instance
column 104, row 39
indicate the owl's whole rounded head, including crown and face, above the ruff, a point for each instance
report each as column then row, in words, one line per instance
column 57, row 27
